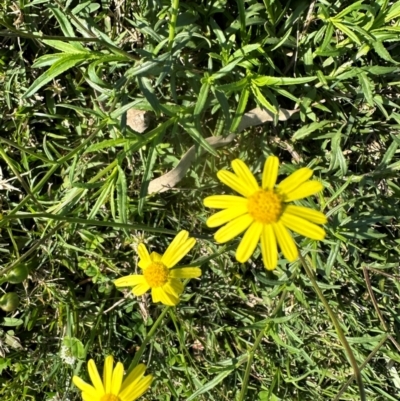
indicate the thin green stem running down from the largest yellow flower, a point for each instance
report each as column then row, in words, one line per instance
column 339, row 330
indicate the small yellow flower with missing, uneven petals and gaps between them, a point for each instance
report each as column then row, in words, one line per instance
column 165, row 283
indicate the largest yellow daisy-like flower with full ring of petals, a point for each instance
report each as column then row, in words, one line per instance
column 264, row 211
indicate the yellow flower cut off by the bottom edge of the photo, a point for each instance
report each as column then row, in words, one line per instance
column 112, row 388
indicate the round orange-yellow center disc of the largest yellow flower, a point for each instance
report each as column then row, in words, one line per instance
column 265, row 206
